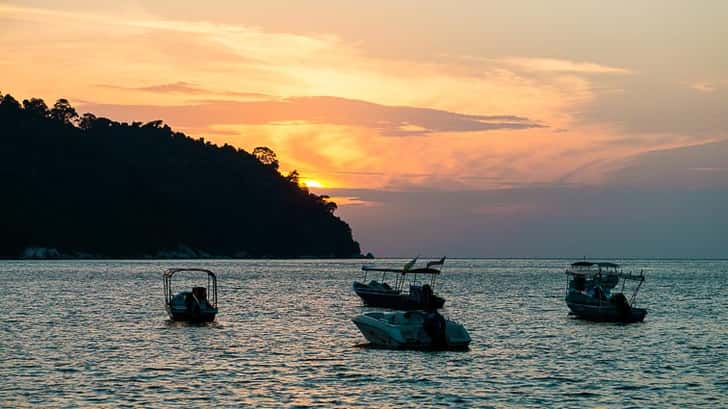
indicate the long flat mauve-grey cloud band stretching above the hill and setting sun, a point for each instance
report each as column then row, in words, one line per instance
column 386, row 120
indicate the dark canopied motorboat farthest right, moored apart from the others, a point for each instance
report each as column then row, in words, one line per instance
column 590, row 295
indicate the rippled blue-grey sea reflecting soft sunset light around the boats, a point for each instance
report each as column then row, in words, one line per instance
column 95, row 333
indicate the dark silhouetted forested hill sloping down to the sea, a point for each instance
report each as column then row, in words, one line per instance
column 82, row 186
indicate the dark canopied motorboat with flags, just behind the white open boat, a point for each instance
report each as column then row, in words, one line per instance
column 420, row 296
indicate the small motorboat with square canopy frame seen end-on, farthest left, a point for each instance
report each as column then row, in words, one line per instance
column 197, row 305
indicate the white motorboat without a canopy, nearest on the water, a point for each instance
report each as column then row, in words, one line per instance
column 412, row 330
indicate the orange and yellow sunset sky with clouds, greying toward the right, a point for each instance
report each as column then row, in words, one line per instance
column 468, row 129
